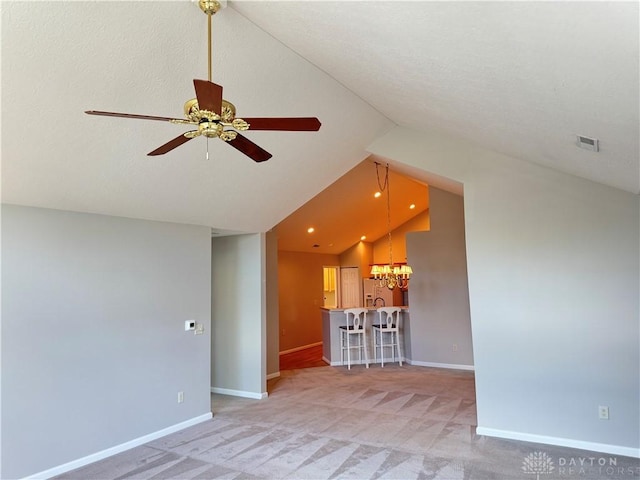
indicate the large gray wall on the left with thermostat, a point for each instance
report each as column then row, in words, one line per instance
column 93, row 343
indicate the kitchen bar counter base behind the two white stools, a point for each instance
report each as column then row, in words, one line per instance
column 333, row 318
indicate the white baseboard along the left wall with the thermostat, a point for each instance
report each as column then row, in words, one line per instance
column 94, row 457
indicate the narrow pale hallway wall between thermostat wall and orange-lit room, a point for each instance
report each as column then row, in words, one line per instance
column 238, row 338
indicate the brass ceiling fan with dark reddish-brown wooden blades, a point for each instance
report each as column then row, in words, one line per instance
column 215, row 117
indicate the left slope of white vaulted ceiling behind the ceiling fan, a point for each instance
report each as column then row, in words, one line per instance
column 62, row 58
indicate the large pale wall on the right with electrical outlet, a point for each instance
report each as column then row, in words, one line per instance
column 553, row 264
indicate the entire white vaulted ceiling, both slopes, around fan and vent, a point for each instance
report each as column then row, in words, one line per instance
column 521, row 78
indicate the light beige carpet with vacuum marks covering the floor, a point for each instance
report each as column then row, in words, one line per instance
column 324, row 423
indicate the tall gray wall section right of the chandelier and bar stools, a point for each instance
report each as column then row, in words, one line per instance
column 439, row 293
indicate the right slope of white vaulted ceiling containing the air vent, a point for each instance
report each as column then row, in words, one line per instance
column 521, row 78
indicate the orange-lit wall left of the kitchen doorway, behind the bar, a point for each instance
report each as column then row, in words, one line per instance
column 300, row 297
